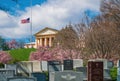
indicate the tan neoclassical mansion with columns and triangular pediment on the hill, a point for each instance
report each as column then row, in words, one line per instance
column 43, row 38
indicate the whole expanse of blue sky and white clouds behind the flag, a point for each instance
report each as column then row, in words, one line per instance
column 45, row 13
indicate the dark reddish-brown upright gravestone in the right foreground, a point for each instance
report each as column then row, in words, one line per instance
column 95, row 71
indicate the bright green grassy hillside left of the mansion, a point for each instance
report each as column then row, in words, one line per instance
column 21, row 54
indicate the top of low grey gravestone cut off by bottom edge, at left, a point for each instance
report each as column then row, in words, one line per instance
column 21, row 79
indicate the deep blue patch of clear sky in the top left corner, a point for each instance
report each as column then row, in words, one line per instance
column 19, row 5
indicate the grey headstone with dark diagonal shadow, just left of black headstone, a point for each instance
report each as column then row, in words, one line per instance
column 54, row 66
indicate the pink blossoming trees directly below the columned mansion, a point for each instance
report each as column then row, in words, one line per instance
column 56, row 53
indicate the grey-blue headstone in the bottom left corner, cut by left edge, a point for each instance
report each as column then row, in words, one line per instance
column 4, row 74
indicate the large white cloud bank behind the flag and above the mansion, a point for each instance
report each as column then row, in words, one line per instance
column 53, row 13
